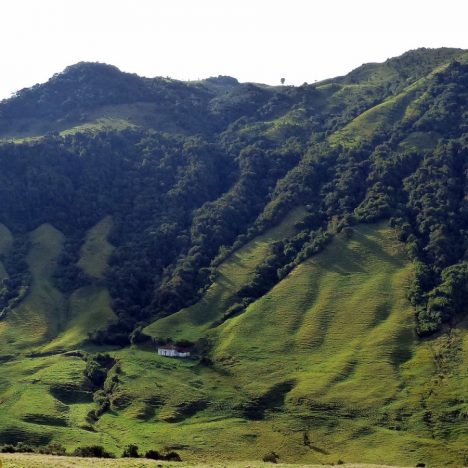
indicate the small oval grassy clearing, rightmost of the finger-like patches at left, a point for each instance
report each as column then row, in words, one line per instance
column 96, row 250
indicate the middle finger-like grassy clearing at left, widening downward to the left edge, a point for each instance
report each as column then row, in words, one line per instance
column 41, row 314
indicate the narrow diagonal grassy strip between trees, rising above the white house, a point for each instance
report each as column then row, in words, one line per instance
column 192, row 322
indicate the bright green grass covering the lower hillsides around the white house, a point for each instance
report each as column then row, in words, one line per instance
column 324, row 367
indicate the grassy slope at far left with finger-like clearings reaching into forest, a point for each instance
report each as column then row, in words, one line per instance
column 47, row 317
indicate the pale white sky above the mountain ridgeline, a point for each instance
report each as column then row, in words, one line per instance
column 253, row 40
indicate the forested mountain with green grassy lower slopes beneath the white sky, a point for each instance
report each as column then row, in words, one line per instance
column 307, row 244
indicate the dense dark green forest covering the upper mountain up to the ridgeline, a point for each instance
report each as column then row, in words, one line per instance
column 199, row 168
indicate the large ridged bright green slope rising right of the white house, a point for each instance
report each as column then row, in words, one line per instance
column 342, row 313
